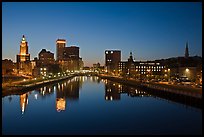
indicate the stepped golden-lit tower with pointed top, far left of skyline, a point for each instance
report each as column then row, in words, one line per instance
column 23, row 55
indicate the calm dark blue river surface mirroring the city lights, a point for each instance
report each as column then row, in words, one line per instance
column 88, row 105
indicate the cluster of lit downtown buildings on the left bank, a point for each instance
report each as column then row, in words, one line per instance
column 67, row 59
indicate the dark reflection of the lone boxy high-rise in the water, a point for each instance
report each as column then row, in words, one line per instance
column 112, row 91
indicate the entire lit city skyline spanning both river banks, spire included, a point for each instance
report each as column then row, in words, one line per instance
column 68, row 60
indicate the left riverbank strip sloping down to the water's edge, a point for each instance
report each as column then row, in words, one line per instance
column 23, row 87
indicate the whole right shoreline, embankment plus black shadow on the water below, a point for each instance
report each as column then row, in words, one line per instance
column 190, row 97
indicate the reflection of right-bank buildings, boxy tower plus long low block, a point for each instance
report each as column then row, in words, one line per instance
column 113, row 91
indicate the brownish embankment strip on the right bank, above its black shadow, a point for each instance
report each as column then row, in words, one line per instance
column 175, row 89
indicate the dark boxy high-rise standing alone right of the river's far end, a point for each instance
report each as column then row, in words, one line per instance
column 112, row 59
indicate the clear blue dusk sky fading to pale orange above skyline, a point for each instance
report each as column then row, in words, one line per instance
column 151, row 31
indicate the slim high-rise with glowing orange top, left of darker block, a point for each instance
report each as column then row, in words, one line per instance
column 60, row 43
